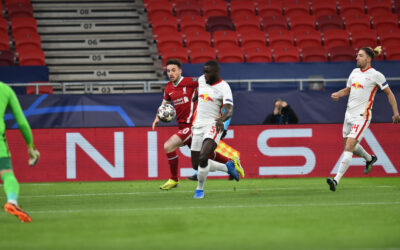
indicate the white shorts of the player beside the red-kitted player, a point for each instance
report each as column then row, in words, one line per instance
column 200, row 133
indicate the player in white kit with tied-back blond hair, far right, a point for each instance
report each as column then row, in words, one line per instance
column 362, row 86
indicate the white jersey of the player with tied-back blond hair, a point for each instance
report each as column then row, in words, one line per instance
column 363, row 86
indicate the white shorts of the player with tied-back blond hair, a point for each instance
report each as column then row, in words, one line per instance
column 354, row 127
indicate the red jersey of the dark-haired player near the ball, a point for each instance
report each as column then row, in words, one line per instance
column 181, row 96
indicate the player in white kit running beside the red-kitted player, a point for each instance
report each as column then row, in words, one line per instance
column 213, row 95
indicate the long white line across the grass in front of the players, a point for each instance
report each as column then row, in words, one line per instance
column 215, row 207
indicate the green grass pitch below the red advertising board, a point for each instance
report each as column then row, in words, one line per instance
column 364, row 213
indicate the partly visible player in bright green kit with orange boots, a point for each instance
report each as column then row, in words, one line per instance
column 9, row 100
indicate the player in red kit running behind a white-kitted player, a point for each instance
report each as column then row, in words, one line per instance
column 180, row 91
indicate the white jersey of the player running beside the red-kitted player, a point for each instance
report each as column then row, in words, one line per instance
column 211, row 100
